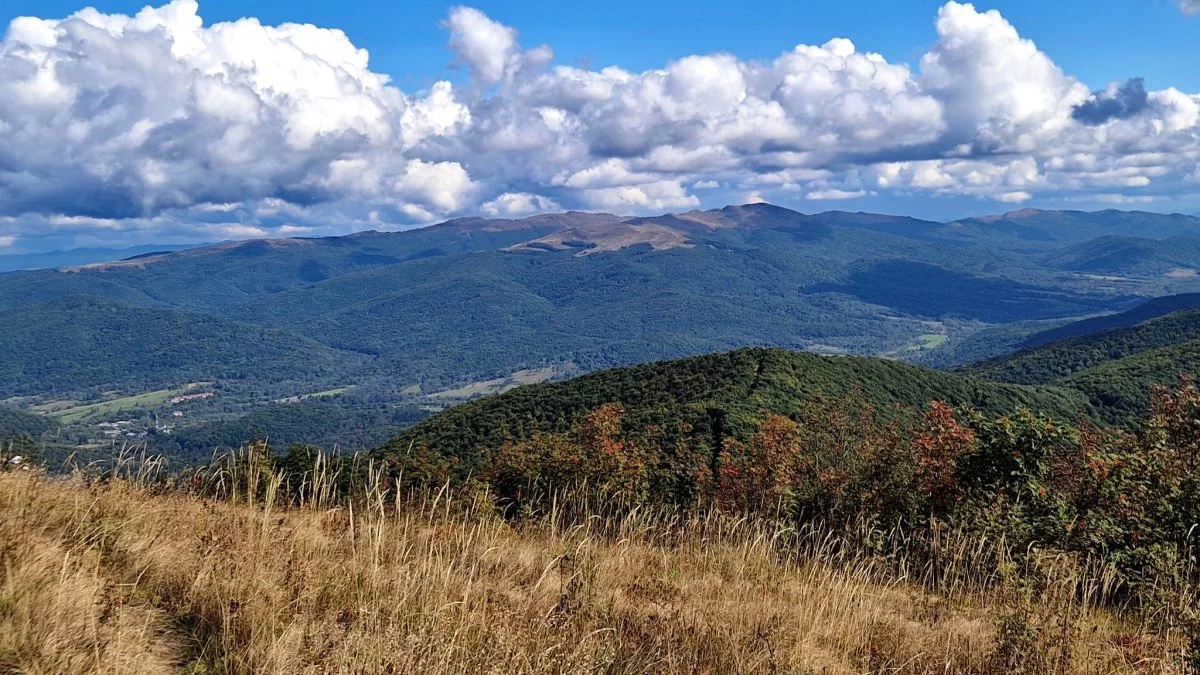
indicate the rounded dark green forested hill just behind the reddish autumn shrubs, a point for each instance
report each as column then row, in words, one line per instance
column 716, row 395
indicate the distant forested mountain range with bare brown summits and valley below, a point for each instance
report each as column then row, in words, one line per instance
column 473, row 307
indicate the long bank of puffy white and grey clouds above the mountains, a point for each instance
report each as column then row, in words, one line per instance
column 157, row 123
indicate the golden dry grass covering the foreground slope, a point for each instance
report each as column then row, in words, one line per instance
column 118, row 577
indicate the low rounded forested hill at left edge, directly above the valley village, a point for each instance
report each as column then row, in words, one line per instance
column 82, row 347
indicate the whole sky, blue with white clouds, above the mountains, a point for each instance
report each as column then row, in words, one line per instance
column 286, row 133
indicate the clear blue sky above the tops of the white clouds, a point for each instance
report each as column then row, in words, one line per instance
column 1112, row 40
